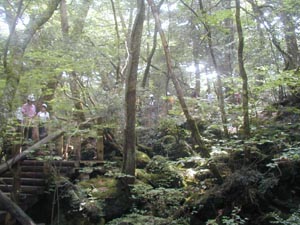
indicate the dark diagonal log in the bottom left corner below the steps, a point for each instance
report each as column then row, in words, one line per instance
column 15, row 211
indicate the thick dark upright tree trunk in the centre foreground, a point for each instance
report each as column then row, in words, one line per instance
column 130, row 93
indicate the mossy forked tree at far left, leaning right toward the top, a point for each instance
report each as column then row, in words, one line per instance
column 14, row 52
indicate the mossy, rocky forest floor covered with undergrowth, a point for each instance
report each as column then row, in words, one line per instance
column 260, row 179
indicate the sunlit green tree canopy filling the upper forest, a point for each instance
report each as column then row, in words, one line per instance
column 165, row 64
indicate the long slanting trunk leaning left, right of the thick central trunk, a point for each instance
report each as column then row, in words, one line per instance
column 190, row 120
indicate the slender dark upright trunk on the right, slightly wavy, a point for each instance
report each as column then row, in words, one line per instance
column 242, row 70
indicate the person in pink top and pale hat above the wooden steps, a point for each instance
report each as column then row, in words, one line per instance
column 29, row 112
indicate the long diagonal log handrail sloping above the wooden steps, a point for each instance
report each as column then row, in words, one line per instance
column 8, row 164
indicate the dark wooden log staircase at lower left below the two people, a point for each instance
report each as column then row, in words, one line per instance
column 33, row 176
